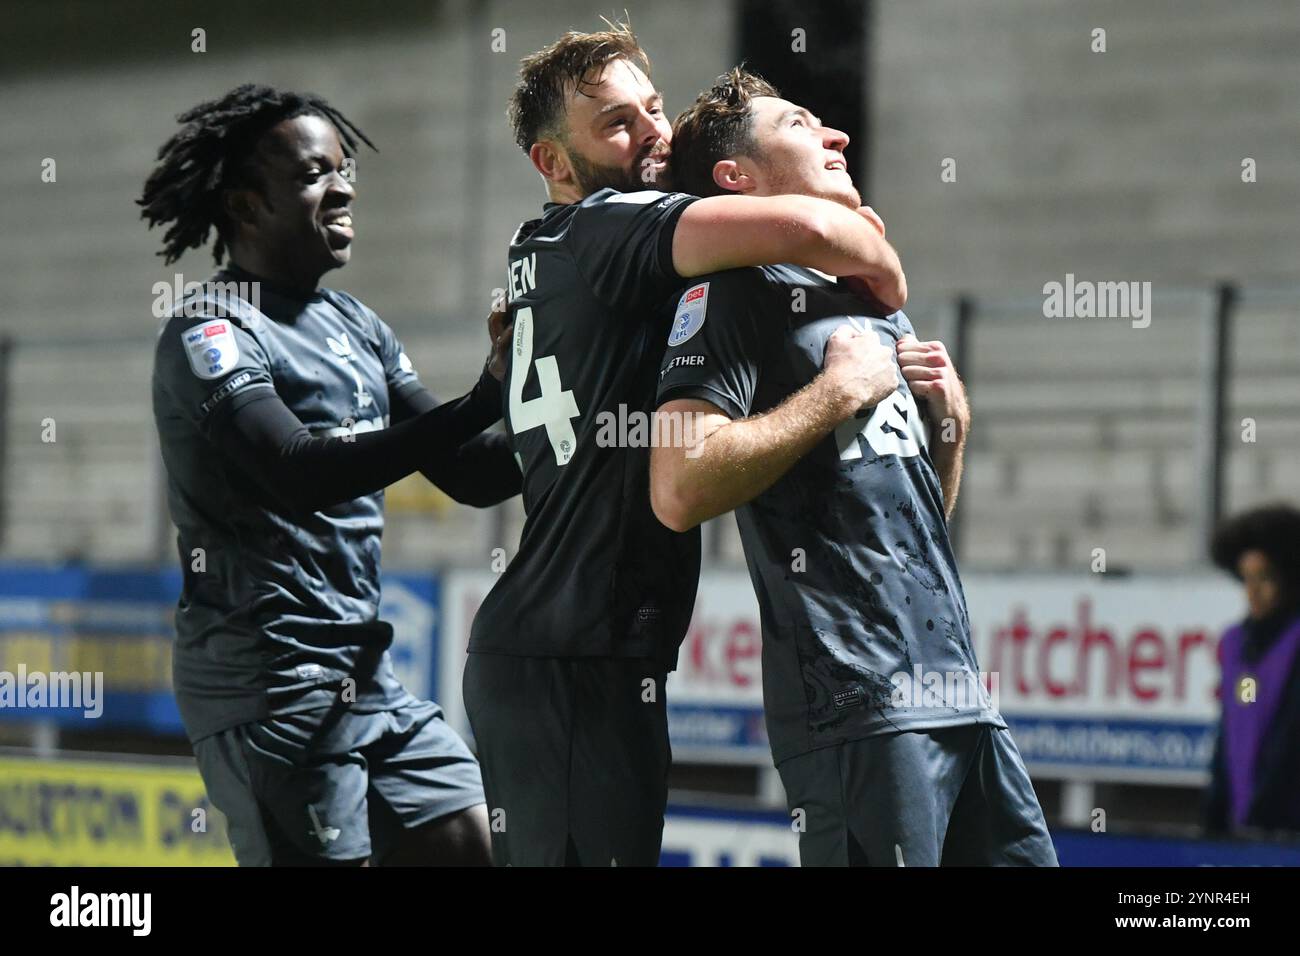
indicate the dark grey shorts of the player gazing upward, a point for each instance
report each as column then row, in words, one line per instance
column 956, row 798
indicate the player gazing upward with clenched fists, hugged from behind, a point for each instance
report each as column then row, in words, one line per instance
column 844, row 526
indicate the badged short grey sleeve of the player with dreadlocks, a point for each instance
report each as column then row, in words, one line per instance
column 210, row 367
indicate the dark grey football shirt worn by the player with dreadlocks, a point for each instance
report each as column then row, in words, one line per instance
column 276, row 611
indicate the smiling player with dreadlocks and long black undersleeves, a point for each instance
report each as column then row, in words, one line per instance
column 281, row 421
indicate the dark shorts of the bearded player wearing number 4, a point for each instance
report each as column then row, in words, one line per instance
column 575, row 759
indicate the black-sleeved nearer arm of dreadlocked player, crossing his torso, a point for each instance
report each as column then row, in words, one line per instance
column 306, row 473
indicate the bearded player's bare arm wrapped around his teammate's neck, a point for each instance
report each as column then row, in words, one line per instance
column 731, row 232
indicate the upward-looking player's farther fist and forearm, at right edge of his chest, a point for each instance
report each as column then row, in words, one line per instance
column 931, row 375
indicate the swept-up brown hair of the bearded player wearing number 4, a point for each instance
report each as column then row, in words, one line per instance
column 538, row 106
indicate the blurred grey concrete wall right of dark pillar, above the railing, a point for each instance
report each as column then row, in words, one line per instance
column 1124, row 165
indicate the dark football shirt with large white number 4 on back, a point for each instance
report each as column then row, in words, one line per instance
column 596, row 576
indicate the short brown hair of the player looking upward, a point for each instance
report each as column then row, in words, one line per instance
column 717, row 127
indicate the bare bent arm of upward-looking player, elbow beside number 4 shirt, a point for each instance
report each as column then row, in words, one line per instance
column 731, row 462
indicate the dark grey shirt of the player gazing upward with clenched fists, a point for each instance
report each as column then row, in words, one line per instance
column 848, row 552
